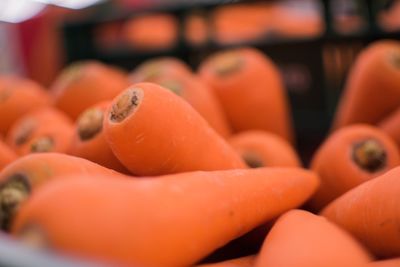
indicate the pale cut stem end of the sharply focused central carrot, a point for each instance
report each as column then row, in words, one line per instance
column 125, row 104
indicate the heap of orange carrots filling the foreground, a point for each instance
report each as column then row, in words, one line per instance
column 165, row 167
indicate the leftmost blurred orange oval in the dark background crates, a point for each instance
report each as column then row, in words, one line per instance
column 151, row 32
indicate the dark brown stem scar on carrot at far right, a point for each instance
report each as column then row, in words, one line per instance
column 369, row 155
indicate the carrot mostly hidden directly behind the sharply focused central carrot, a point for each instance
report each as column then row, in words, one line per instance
column 196, row 93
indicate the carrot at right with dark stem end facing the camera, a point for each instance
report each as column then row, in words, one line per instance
column 349, row 157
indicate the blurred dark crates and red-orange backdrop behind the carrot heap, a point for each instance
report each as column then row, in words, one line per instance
column 314, row 42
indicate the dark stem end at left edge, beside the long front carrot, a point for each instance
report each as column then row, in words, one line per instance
column 12, row 193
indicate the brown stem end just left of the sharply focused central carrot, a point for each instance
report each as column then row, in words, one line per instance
column 90, row 123
